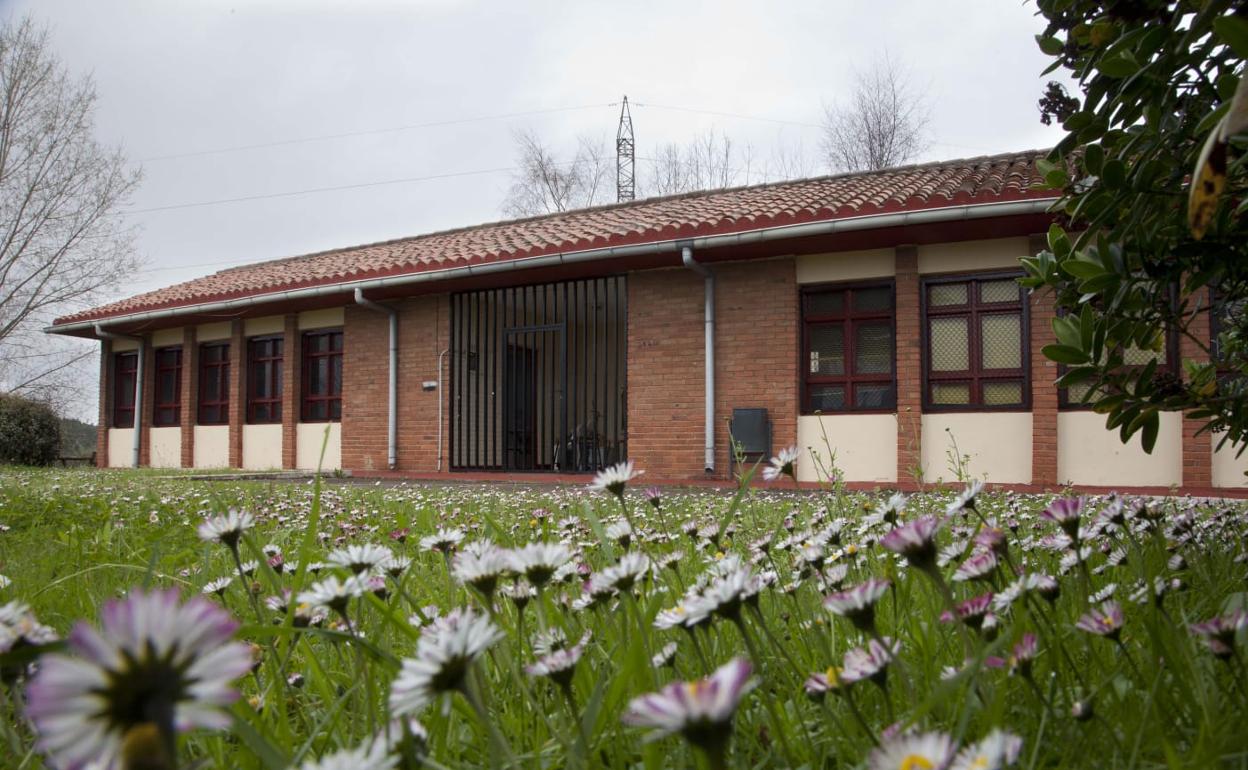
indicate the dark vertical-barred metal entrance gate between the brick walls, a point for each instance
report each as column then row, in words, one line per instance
column 539, row 378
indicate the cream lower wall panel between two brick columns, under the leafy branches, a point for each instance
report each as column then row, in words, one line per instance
column 1090, row 455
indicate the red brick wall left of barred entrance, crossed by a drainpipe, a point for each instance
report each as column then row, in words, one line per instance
column 424, row 333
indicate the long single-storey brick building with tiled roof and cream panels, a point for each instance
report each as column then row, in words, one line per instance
column 874, row 316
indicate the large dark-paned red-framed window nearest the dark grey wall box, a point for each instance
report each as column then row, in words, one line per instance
column 848, row 349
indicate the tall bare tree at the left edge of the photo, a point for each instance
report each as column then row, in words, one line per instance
column 63, row 241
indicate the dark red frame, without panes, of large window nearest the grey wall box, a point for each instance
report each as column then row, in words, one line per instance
column 849, row 319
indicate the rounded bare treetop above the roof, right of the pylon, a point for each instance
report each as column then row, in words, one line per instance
column 883, row 125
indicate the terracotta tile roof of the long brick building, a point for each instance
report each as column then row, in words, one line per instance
column 982, row 180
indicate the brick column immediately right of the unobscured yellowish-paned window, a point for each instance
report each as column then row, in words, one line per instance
column 1044, row 392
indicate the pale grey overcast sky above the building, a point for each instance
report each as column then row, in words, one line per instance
column 189, row 78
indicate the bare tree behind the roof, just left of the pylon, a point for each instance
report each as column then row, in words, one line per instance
column 544, row 184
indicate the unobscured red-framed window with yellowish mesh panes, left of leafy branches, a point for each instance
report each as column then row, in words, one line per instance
column 975, row 344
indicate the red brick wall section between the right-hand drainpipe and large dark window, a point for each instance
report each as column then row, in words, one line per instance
column 757, row 350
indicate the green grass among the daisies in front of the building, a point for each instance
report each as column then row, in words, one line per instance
column 74, row 540
